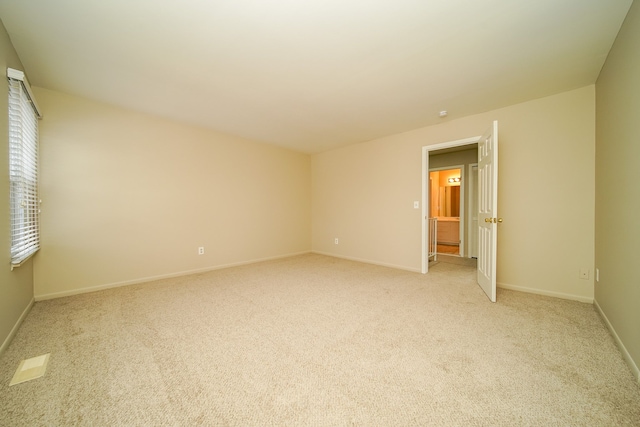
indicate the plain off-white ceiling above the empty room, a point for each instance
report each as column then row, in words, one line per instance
column 312, row 75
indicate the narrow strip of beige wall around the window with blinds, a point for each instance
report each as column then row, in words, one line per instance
column 16, row 287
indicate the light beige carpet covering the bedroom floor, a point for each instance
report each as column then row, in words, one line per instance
column 314, row 341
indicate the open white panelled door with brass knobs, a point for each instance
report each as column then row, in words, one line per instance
column 488, row 210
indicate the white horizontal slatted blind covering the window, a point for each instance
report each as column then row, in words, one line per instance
column 23, row 169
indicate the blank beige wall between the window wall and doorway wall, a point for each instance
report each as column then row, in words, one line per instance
column 128, row 197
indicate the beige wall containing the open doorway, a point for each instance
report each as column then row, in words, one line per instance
column 363, row 194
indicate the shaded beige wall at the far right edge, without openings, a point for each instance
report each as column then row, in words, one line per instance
column 617, row 190
